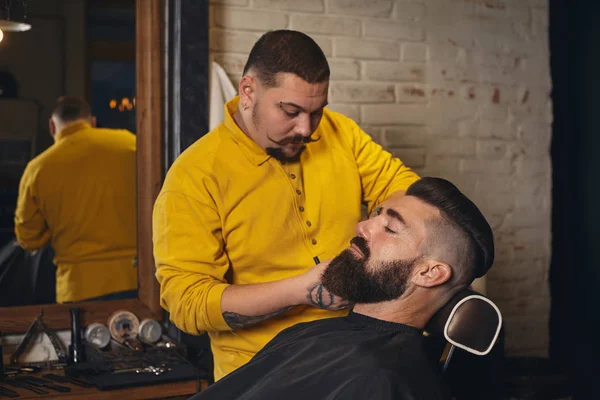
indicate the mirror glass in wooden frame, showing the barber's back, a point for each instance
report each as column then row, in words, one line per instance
column 84, row 49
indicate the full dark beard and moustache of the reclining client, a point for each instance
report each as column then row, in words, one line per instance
column 350, row 278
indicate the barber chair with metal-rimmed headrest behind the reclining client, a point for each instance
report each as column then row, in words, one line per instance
column 464, row 337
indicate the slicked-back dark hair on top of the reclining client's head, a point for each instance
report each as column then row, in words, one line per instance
column 463, row 214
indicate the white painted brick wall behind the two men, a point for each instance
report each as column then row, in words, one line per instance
column 456, row 88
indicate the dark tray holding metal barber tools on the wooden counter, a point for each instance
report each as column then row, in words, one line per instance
column 120, row 367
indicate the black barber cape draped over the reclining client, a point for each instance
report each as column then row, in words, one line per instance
column 354, row 357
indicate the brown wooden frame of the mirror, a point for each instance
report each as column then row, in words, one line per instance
column 149, row 111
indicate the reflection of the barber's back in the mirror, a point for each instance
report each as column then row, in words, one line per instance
column 80, row 194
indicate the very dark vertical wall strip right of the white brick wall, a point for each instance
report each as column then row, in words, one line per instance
column 575, row 269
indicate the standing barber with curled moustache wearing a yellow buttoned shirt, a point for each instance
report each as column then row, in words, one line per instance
column 246, row 209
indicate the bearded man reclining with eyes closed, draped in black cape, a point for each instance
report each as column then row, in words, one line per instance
column 406, row 262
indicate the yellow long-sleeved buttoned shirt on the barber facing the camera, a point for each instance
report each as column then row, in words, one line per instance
column 230, row 214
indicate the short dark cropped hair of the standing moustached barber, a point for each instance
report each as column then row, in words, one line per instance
column 285, row 51
